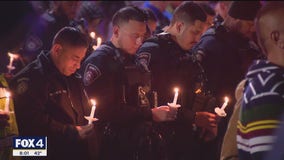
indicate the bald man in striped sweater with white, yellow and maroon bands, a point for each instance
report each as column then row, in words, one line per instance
column 263, row 100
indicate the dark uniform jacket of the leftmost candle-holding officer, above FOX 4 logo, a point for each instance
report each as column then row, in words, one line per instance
column 48, row 103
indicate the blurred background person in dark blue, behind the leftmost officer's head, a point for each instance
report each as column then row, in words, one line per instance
column 61, row 14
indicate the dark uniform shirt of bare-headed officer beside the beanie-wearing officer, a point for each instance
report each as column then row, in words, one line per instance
column 170, row 67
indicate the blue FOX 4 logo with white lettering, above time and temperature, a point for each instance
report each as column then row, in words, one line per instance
column 29, row 142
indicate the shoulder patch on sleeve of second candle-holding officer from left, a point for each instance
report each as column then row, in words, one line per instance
column 91, row 73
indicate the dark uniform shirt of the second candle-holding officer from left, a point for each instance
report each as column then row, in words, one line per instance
column 104, row 77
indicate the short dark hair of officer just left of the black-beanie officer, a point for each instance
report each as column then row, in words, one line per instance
column 188, row 12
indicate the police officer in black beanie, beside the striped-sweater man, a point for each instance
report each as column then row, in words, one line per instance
column 226, row 50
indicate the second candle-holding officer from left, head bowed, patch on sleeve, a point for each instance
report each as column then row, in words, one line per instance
column 124, row 109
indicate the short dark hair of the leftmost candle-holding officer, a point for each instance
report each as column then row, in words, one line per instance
column 71, row 36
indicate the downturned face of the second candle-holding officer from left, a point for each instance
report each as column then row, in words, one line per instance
column 131, row 35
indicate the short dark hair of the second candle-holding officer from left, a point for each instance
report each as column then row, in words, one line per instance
column 129, row 13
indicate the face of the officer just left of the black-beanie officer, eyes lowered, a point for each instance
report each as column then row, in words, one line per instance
column 189, row 34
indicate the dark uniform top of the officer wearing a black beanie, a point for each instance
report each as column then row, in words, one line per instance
column 226, row 57
